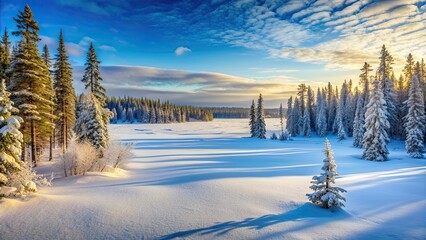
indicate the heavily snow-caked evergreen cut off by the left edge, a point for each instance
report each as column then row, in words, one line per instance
column 10, row 138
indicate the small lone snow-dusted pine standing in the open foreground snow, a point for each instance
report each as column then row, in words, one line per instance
column 325, row 194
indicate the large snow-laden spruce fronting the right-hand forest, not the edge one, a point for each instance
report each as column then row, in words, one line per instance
column 376, row 125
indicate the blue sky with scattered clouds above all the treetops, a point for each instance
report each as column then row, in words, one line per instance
column 224, row 53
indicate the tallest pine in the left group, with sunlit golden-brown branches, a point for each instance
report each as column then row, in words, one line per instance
column 30, row 85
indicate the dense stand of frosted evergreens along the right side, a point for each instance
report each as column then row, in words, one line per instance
column 380, row 108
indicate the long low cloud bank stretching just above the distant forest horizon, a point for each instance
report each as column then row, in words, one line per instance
column 203, row 88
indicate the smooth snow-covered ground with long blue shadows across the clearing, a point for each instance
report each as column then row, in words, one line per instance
column 207, row 181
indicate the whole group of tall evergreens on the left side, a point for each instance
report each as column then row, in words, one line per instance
column 38, row 104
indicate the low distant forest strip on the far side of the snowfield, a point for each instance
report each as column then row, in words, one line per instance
column 143, row 110
